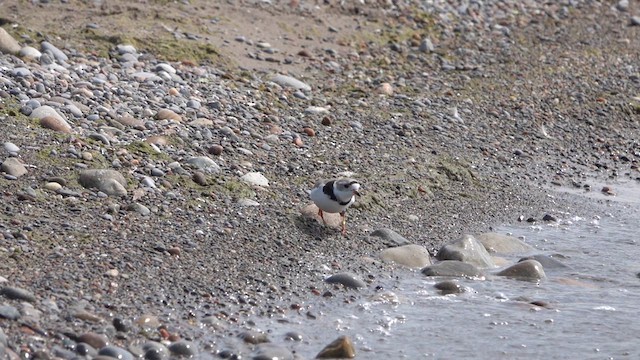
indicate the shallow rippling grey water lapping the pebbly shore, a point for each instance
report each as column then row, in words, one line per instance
column 592, row 312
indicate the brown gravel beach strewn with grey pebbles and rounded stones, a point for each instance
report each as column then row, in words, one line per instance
column 156, row 157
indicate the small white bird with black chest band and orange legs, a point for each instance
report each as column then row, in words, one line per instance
column 335, row 196
